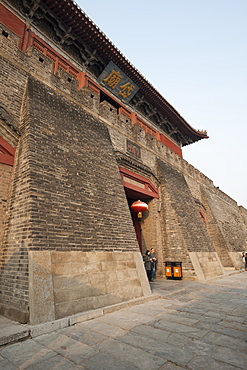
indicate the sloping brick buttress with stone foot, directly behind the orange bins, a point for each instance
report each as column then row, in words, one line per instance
column 185, row 232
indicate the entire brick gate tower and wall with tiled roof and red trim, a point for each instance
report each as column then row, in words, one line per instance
column 83, row 135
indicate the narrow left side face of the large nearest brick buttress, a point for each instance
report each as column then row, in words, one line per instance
column 14, row 257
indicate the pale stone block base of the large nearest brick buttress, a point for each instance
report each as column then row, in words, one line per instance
column 65, row 283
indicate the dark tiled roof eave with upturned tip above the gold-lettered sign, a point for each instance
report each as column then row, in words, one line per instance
column 81, row 25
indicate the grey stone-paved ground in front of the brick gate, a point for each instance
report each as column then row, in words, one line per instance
column 194, row 326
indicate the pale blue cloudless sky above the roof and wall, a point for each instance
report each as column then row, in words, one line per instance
column 194, row 52
